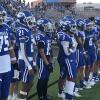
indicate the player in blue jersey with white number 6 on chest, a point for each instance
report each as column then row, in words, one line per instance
column 90, row 48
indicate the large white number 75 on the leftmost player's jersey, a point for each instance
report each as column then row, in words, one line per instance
column 4, row 41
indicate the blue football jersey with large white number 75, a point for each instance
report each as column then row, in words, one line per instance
column 5, row 37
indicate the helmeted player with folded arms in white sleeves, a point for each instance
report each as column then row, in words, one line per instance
column 67, row 47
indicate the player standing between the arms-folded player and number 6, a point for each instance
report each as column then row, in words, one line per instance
column 80, row 37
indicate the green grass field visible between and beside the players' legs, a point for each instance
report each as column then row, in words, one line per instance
column 87, row 94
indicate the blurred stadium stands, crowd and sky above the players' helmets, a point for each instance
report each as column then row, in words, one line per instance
column 54, row 9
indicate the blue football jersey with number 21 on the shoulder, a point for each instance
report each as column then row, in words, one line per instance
column 24, row 35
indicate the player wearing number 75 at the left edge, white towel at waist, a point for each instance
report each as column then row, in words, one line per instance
column 7, row 56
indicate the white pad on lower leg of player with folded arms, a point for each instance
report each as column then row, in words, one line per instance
column 69, row 87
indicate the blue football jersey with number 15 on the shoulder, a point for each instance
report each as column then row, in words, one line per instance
column 46, row 39
